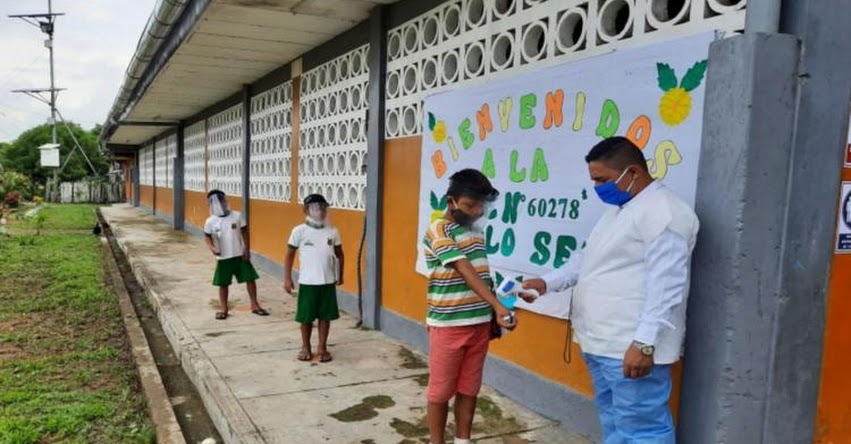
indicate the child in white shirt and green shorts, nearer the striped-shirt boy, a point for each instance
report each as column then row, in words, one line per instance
column 321, row 264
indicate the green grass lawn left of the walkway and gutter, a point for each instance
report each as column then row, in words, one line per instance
column 66, row 374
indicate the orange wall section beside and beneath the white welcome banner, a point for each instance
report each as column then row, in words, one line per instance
column 537, row 344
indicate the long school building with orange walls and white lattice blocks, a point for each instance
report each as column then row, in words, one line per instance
column 273, row 100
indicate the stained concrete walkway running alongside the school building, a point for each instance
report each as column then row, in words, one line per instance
column 247, row 374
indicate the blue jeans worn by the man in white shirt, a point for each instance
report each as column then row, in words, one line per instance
column 632, row 411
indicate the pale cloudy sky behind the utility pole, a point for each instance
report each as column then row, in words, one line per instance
column 93, row 43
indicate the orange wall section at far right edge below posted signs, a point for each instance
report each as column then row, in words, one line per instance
column 833, row 422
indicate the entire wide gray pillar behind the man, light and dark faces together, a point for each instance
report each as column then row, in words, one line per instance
column 774, row 130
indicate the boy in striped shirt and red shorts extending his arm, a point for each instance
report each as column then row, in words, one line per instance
column 460, row 305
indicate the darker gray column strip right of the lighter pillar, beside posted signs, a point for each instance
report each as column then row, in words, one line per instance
column 820, row 136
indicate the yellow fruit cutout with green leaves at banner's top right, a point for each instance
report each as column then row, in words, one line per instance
column 675, row 105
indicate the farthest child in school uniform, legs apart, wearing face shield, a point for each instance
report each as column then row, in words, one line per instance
column 226, row 235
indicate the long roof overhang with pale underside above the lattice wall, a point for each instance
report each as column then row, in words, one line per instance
column 217, row 46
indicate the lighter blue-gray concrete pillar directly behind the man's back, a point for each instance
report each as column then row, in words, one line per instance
column 745, row 156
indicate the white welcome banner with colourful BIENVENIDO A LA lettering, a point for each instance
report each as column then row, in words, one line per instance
column 530, row 134
